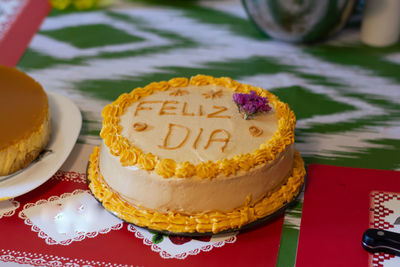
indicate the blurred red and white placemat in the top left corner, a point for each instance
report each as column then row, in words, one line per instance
column 19, row 21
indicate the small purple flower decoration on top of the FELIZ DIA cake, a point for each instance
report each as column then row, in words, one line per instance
column 251, row 104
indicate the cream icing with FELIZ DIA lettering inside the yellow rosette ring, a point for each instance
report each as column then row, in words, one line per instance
column 195, row 124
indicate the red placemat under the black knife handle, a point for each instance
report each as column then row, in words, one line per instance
column 339, row 205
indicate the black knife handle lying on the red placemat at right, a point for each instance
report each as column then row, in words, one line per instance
column 376, row 240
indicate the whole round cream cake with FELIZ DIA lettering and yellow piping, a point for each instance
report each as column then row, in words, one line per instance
column 185, row 156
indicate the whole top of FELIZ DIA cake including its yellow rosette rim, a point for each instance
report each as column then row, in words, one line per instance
column 191, row 127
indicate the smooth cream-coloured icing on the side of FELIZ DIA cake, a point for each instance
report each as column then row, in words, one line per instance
column 193, row 195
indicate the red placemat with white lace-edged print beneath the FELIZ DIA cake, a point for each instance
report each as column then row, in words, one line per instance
column 61, row 223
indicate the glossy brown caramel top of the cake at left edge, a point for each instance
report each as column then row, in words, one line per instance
column 23, row 105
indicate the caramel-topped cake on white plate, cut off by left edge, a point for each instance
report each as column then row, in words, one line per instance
column 24, row 120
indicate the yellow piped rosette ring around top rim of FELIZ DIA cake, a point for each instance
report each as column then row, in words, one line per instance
column 130, row 155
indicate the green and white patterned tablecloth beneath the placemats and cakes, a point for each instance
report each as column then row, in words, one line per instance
column 346, row 95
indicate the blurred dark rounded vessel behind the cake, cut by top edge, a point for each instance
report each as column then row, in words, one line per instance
column 299, row 21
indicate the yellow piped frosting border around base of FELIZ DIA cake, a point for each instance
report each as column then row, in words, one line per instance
column 214, row 221
